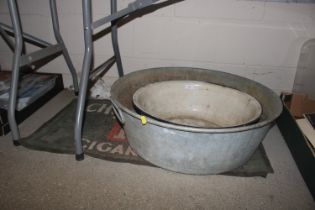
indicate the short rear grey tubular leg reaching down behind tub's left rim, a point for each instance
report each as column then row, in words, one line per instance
column 114, row 34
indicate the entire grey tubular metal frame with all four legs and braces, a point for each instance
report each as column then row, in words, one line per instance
column 22, row 59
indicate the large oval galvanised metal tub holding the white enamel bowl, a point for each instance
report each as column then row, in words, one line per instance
column 187, row 149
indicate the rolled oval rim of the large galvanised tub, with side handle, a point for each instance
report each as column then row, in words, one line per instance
column 118, row 107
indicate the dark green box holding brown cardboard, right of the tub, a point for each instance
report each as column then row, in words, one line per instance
column 301, row 149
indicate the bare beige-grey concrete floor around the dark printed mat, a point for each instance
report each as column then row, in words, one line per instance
column 41, row 180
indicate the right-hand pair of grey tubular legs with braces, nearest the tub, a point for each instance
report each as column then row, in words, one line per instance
column 88, row 26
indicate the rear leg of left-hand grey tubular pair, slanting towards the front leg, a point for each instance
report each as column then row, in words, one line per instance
column 55, row 21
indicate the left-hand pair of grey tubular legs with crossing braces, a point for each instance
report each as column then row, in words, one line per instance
column 21, row 59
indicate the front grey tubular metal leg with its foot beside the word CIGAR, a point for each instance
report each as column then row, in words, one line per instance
column 87, row 23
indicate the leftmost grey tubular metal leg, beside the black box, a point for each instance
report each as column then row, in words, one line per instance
column 15, row 70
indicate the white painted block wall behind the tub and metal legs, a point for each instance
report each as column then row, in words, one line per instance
column 256, row 39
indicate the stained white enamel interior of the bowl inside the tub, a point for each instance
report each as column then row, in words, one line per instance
column 197, row 104
